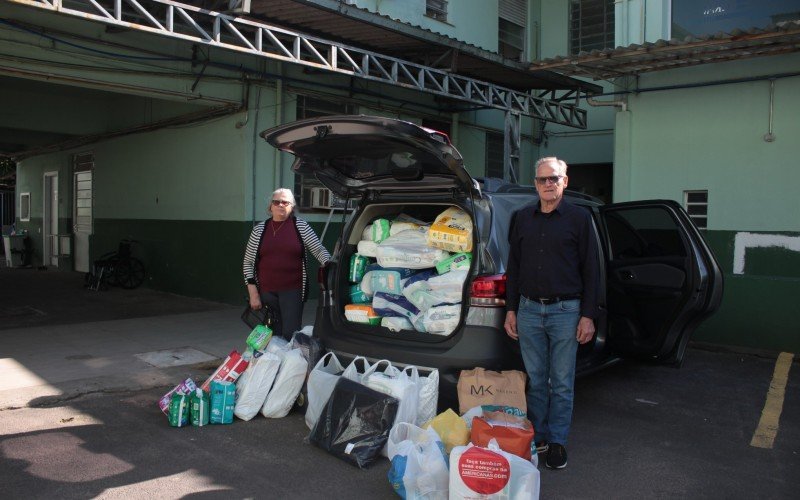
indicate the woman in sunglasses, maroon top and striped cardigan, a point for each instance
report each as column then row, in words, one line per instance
column 275, row 263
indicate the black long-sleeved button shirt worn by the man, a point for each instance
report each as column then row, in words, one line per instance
column 553, row 255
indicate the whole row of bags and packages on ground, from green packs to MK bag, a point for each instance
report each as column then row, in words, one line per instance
column 362, row 411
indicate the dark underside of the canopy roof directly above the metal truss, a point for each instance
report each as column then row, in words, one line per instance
column 359, row 27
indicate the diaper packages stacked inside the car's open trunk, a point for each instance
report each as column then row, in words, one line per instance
column 409, row 275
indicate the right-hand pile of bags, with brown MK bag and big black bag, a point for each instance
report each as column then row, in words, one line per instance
column 363, row 411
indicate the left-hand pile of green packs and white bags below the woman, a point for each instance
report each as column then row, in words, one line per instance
column 266, row 378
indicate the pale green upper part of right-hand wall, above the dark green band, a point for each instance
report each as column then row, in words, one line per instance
column 712, row 137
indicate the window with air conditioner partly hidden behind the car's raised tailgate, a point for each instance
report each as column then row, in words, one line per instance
column 308, row 191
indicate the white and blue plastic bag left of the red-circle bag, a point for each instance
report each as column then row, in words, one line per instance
column 419, row 464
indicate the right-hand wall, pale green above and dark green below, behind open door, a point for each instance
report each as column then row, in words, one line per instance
column 711, row 137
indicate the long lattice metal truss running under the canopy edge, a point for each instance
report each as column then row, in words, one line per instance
column 196, row 25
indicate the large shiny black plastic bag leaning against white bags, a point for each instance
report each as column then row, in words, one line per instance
column 355, row 423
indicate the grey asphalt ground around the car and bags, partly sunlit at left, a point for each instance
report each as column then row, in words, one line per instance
column 78, row 414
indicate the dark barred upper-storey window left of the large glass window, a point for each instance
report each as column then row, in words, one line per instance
column 591, row 25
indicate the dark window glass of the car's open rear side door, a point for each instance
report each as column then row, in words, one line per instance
column 636, row 233
